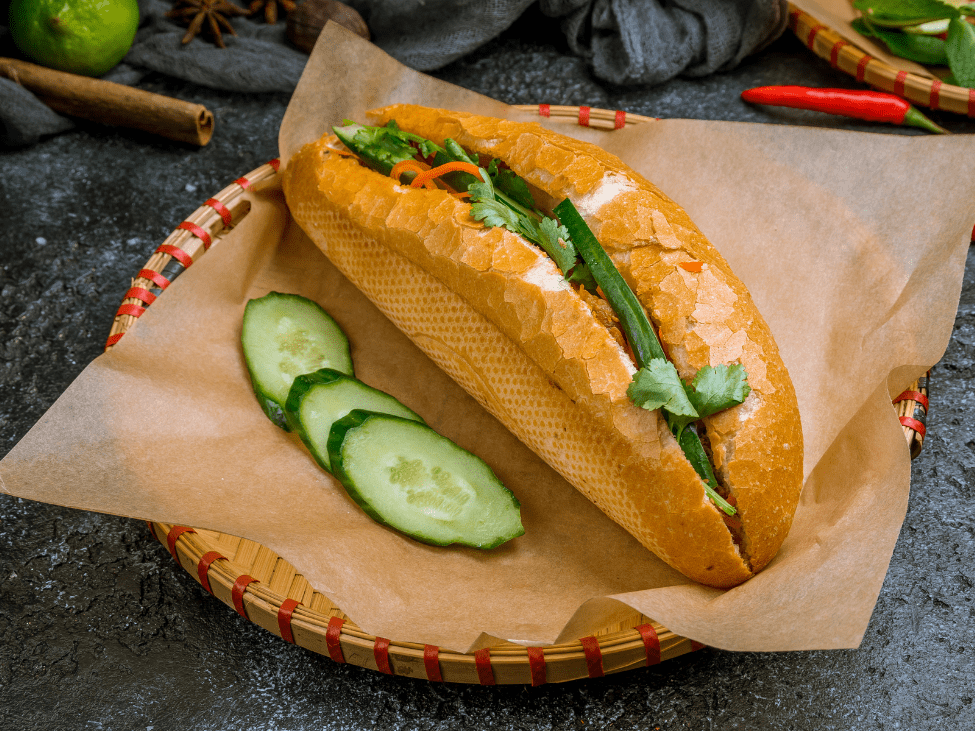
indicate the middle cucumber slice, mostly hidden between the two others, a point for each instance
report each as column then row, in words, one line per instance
column 317, row 400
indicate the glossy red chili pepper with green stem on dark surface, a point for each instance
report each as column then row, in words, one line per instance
column 873, row 106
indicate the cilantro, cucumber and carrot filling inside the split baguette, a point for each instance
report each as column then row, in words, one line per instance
column 500, row 198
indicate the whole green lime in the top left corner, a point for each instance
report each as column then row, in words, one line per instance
column 80, row 36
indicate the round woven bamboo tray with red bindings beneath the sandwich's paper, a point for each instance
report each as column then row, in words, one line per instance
column 266, row 589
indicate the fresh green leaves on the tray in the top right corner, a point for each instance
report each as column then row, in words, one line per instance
column 926, row 31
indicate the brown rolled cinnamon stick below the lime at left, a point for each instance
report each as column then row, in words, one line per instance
column 114, row 104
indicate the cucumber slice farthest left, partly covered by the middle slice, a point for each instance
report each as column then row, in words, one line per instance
column 284, row 336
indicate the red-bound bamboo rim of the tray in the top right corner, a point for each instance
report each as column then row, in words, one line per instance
column 841, row 54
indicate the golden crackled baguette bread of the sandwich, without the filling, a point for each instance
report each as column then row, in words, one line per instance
column 494, row 312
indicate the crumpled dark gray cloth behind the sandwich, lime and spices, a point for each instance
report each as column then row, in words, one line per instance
column 625, row 41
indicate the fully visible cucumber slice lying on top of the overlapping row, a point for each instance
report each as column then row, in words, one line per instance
column 406, row 476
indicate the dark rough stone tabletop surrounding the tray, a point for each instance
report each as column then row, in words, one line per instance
column 100, row 629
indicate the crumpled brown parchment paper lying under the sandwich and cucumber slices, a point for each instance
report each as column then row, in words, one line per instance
column 853, row 245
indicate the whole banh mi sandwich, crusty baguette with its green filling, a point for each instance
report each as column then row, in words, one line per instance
column 582, row 308
